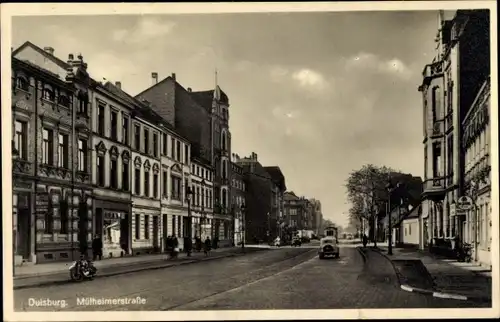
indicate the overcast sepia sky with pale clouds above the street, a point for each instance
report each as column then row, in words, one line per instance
column 318, row 94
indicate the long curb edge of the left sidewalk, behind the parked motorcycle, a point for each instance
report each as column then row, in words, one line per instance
column 139, row 269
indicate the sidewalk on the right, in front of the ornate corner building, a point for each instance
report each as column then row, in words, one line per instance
column 468, row 280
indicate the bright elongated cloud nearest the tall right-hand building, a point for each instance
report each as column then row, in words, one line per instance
column 372, row 62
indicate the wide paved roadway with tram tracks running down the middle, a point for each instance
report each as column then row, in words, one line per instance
column 287, row 278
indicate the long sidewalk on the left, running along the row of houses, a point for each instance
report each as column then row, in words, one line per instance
column 57, row 273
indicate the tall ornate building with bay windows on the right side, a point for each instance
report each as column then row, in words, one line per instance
column 450, row 86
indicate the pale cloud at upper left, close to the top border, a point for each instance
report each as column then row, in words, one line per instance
column 147, row 28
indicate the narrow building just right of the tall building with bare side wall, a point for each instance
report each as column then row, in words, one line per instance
column 238, row 200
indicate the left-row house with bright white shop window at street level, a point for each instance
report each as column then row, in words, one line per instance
column 111, row 175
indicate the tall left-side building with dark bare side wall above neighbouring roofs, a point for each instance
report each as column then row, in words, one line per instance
column 203, row 118
